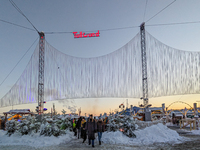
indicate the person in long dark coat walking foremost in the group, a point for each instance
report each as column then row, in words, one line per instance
column 91, row 128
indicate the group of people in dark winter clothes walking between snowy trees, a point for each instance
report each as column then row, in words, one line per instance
column 87, row 128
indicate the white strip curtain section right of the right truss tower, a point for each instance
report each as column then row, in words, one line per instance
column 171, row 71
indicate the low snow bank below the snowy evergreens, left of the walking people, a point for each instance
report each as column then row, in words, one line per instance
column 34, row 140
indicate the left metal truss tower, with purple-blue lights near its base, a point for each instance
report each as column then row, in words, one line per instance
column 41, row 73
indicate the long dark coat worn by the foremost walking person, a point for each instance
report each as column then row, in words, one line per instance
column 91, row 128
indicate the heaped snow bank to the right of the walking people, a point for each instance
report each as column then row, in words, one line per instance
column 153, row 134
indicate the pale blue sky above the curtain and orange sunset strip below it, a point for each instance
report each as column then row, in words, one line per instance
column 90, row 15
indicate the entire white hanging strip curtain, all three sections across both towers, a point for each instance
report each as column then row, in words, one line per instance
column 118, row 74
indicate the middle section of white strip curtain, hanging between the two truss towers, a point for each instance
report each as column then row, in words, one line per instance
column 117, row 74
